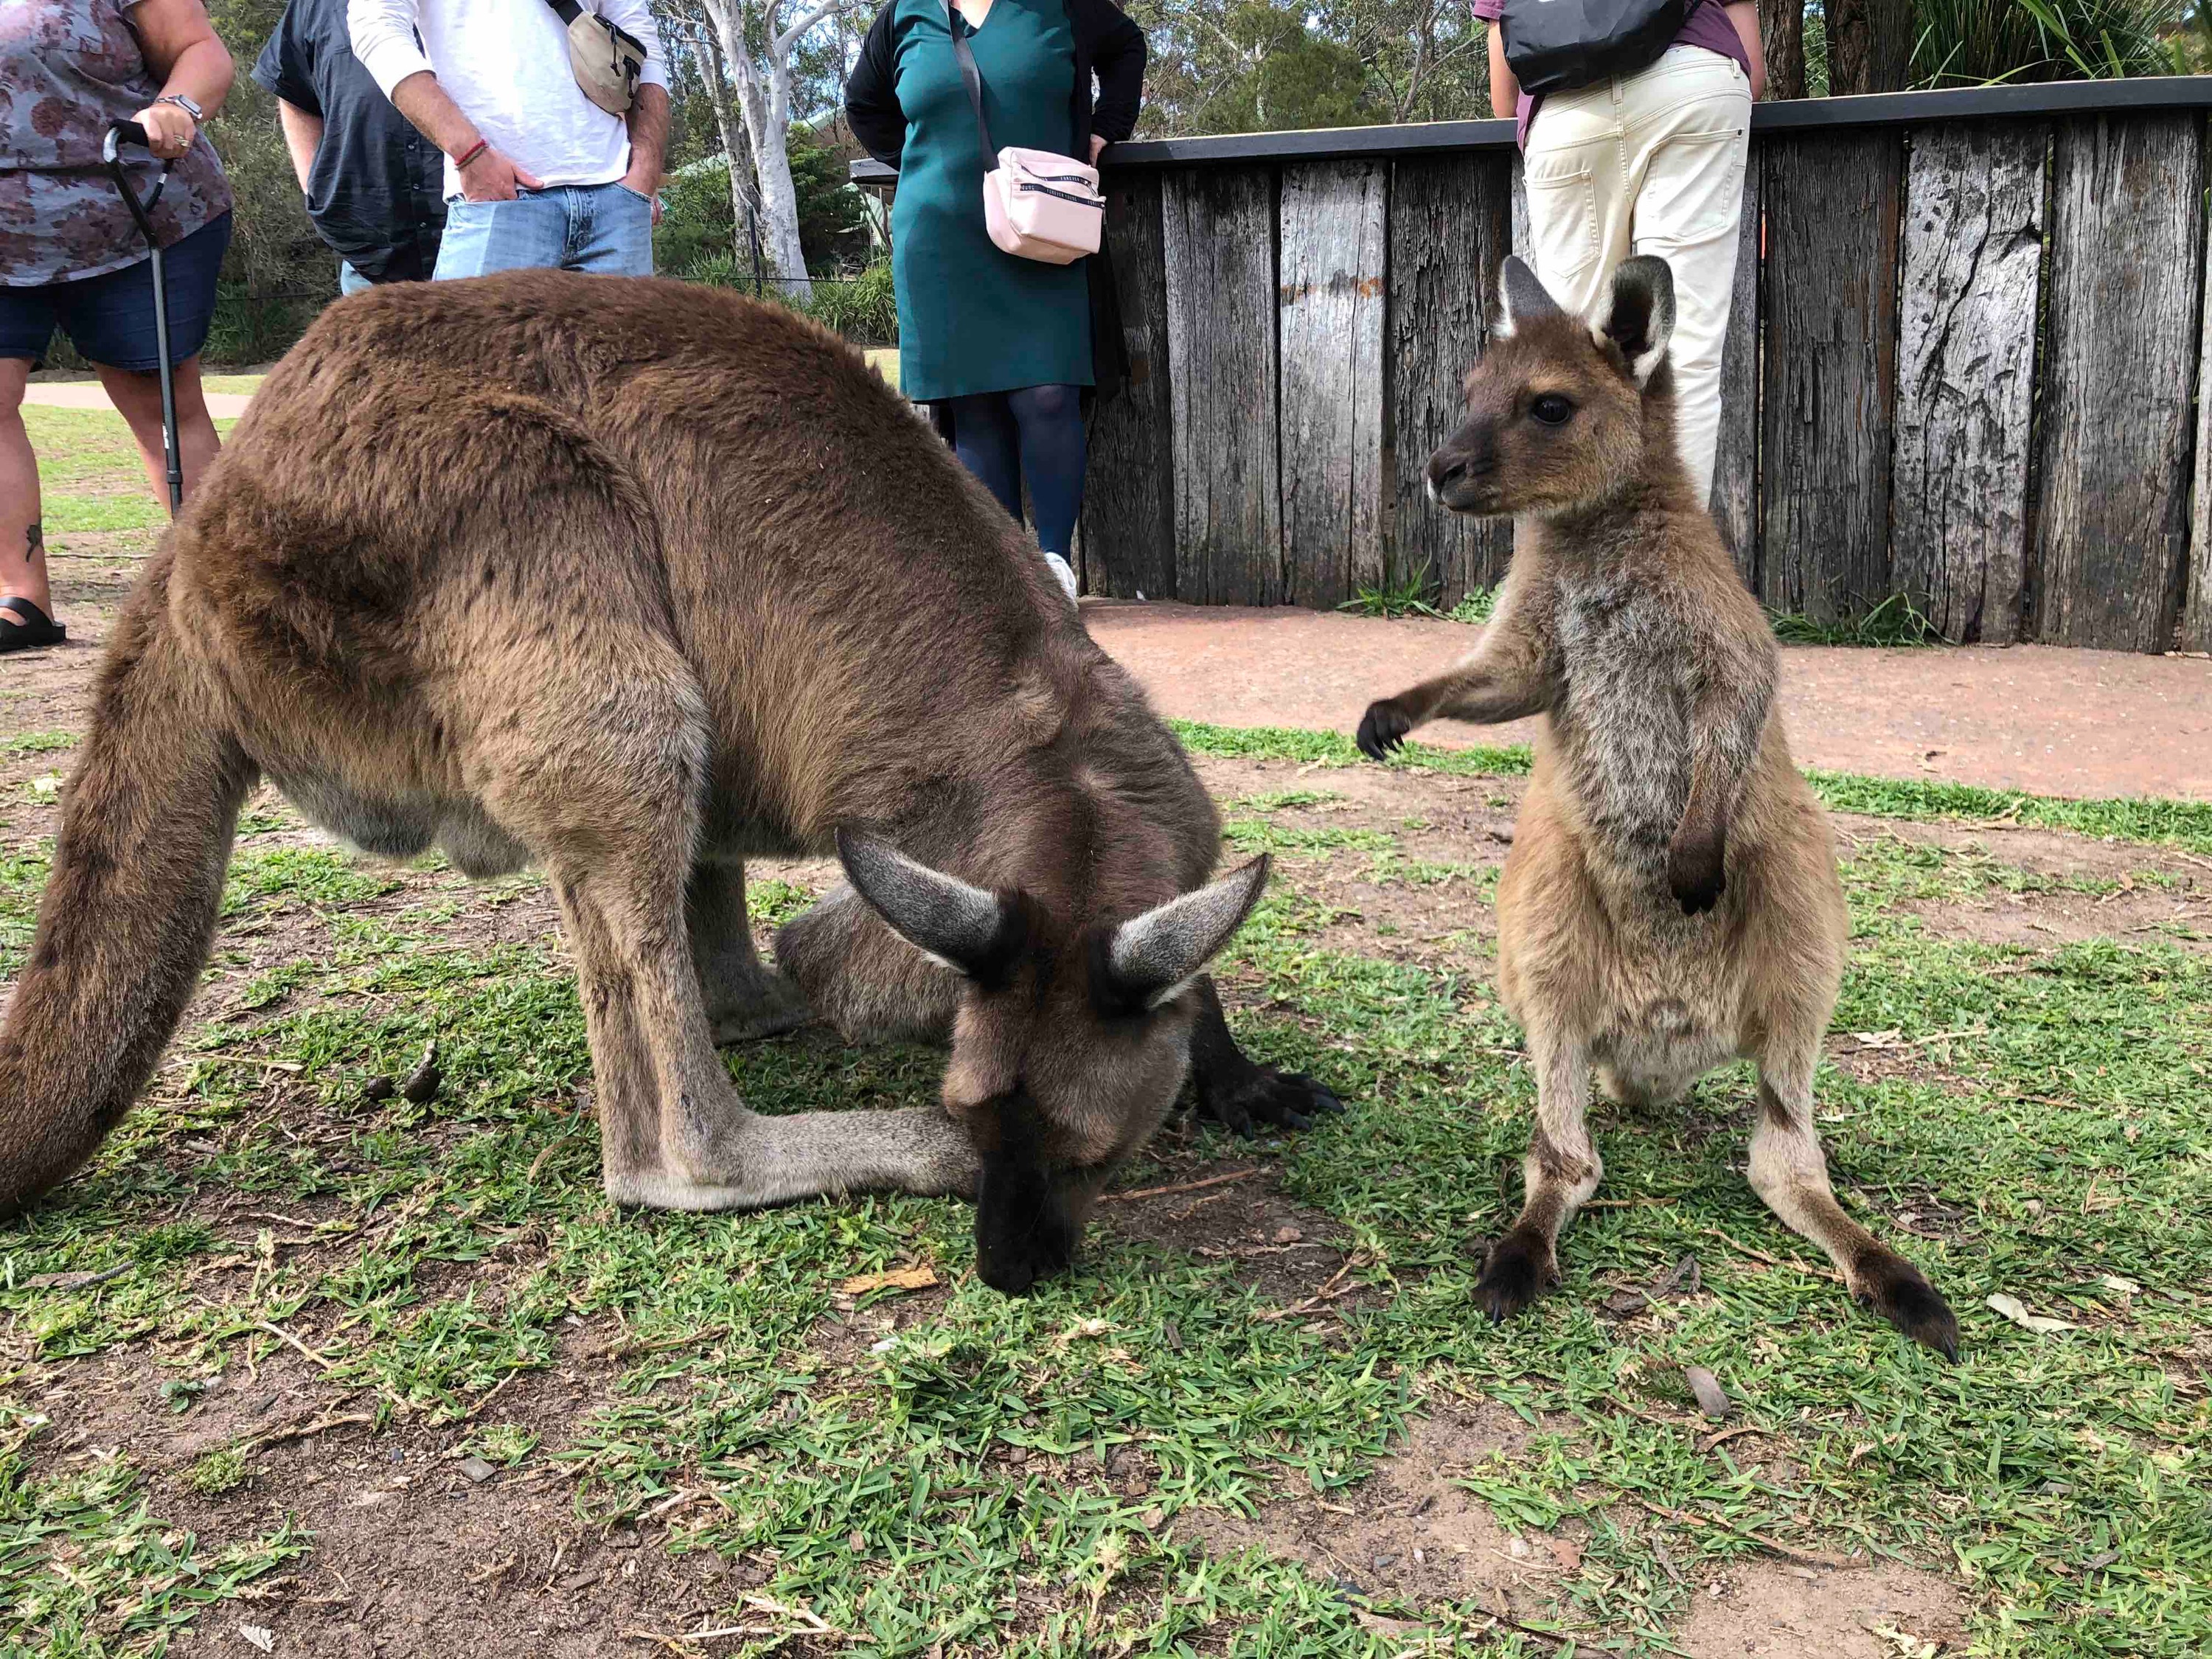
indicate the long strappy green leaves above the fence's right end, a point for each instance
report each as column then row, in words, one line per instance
column 1972, row 43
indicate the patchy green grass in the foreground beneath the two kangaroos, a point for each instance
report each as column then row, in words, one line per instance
column 864, row 1474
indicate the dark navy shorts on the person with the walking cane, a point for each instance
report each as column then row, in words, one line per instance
column 109, row 317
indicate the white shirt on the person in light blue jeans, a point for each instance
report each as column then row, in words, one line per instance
column 508, row 65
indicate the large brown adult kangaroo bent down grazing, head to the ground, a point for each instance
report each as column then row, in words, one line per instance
column 636, row 581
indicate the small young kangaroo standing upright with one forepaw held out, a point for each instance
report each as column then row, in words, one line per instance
column 1671, row 901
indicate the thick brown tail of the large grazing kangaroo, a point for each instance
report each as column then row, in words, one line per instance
column 129, row 910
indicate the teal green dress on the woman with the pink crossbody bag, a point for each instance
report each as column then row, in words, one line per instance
column 972, row 317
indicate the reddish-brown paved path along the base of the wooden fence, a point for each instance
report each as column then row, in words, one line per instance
column 2016, row 718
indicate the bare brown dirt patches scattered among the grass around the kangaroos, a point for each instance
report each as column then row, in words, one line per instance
column 424, row 1545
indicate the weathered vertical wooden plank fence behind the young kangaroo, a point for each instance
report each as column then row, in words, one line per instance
column 1968, row 362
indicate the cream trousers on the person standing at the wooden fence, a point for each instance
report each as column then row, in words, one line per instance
column 1651, row 165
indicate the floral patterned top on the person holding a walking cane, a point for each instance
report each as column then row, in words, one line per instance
column 67, row 70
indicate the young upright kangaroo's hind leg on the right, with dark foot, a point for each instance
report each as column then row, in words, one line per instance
column 1791, row 1173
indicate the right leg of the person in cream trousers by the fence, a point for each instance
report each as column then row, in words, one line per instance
column 1691, row 138
